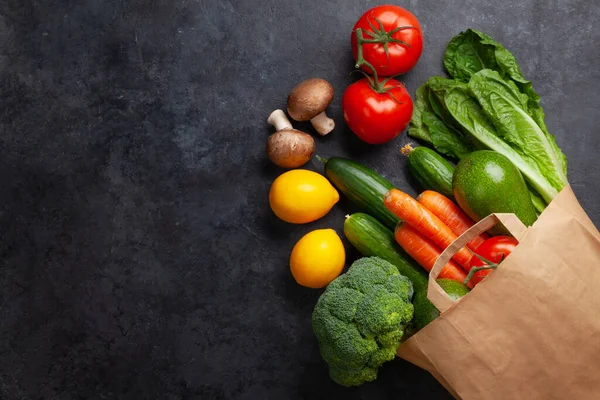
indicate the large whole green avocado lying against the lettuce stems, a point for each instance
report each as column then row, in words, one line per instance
column 486, row 182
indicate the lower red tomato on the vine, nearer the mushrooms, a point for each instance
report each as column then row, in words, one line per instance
column 375, row 117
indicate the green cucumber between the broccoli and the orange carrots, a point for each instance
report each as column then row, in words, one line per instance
column 372, row 238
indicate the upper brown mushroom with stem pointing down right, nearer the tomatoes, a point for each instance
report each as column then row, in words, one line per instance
column 309, row 100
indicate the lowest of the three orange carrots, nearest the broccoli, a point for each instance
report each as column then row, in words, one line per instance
column 426, row 253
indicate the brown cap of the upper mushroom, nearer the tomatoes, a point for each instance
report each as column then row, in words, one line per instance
column 309, row 99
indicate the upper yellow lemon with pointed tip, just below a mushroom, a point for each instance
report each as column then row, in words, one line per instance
column 300, row 196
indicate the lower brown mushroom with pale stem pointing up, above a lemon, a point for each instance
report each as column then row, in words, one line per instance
column 288, row 147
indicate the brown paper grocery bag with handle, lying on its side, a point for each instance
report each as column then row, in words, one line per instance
column 531, row 329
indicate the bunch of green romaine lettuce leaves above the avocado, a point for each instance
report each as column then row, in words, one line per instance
column 488, row 104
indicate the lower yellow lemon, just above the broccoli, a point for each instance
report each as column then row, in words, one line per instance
column 318, row 258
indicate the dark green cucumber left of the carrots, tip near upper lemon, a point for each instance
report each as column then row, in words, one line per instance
column 363, row 186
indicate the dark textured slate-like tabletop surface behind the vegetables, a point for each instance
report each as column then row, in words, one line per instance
column 139, row 257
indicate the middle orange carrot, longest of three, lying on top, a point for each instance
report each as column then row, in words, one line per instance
column 431, row 227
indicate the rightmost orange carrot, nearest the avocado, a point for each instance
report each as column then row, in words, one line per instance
column 450, row 214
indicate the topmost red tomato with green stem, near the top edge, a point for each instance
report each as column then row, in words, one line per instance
column 402, row 56
